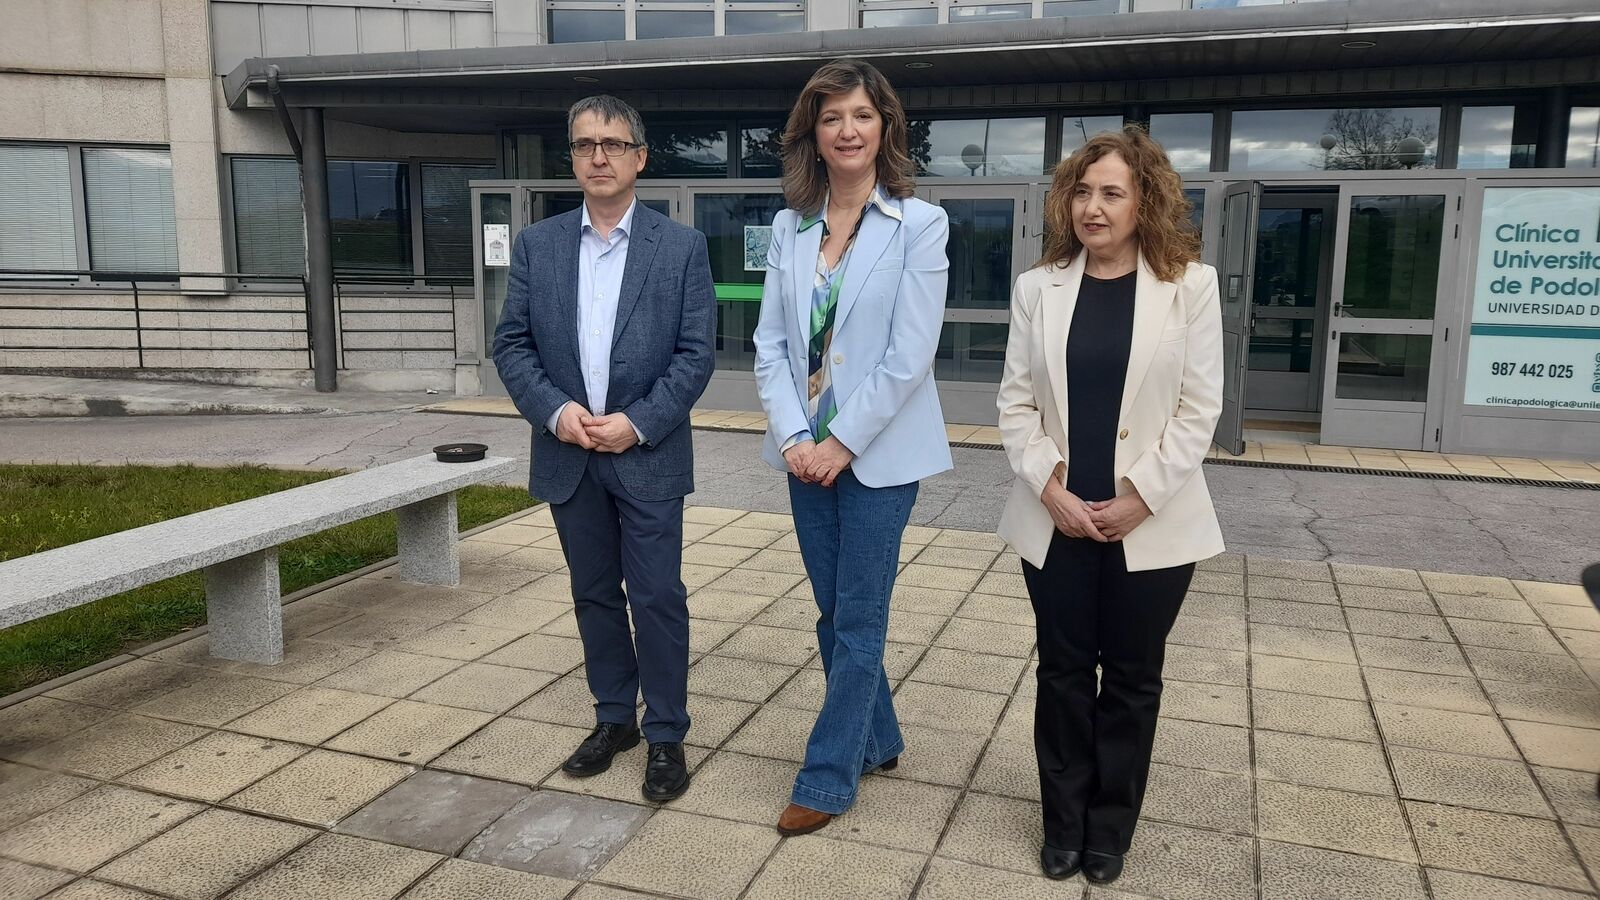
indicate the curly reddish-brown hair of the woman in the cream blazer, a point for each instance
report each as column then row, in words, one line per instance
column 1166, row 235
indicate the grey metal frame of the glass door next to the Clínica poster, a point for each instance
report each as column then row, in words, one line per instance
column 1343, row 420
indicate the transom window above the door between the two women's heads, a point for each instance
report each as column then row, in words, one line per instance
column 974, row 148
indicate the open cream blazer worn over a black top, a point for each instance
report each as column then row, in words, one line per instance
column 1170, row 403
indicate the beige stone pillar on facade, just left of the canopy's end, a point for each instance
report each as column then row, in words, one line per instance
column 191, row 126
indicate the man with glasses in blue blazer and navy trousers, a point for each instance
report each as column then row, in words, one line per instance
column 606, row 345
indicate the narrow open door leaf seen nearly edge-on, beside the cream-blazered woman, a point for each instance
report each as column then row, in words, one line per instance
column 1236, row 275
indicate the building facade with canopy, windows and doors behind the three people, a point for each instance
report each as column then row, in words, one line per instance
column 1402, row 199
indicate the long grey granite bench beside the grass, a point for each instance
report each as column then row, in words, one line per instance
column 236, row 545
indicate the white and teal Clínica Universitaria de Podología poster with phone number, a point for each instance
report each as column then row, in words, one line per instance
column 1537, row 300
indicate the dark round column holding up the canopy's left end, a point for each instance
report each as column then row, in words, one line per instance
column 319, row 252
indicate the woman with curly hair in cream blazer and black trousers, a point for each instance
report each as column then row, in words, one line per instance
column 1111, row 395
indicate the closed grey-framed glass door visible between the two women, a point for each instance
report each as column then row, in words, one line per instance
column 988, row 249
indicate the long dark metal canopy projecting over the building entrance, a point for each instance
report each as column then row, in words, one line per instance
column 473, row 89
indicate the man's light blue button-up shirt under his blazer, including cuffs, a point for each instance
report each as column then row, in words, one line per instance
column 601, row 265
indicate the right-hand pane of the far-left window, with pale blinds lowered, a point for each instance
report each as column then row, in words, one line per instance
column 129, row 198
